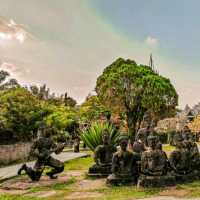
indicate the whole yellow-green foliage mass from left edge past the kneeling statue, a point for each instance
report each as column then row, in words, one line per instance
column 21, row 114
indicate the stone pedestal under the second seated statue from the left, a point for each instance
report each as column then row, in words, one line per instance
column 121, row 180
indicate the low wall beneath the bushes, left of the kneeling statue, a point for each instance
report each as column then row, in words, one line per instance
column 13, row 153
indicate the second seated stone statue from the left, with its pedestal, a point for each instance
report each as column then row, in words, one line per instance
column 124, row 165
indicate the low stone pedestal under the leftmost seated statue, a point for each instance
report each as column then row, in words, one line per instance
column 99, row 171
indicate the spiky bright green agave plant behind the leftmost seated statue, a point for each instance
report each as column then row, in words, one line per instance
column 93, row 136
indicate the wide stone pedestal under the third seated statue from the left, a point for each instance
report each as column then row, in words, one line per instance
column 156, row 181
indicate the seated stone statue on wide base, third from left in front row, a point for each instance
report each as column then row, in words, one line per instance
column 155, row 166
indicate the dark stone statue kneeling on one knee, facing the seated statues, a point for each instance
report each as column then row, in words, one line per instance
column 42, row 149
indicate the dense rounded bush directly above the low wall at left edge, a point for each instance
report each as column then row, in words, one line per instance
column 20, row 113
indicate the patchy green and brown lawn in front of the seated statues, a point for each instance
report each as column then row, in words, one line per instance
column 81, row 187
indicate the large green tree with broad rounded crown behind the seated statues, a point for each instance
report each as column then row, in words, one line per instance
column 136, row 90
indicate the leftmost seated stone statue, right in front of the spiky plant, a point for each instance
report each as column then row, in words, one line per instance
column 103, row 157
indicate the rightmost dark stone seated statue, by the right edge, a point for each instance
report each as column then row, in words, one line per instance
column 183, row 160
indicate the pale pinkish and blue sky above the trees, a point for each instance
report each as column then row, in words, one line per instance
column 67, row 43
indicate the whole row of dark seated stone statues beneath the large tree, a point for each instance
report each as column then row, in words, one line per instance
column 147, row 166
